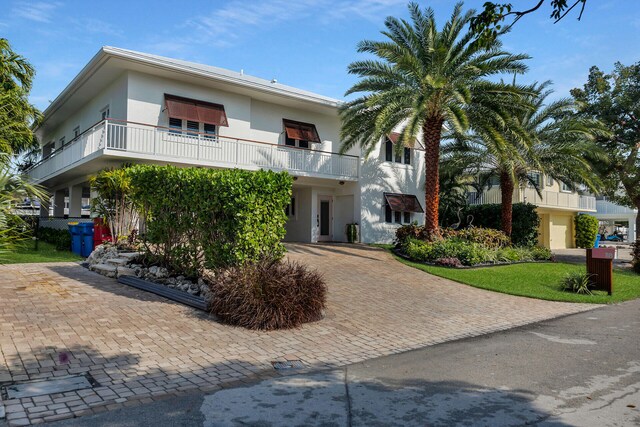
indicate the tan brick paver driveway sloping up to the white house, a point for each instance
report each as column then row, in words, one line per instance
column 139, row 347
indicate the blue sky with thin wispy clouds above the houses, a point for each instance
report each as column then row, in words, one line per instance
column 303, row 43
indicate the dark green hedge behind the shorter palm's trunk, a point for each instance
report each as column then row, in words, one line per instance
column 525, row 221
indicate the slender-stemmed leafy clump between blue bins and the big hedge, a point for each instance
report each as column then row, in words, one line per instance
column 114, row 202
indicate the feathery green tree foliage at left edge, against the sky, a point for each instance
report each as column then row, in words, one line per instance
column 17, row 115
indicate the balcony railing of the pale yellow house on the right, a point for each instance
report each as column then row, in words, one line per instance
column 549, row 199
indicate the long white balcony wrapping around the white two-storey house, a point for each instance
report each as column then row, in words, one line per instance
column 137, row 142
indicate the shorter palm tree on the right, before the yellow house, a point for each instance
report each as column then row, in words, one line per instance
column 546, row 138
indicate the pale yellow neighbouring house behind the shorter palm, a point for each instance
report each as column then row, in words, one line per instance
column 557, row 208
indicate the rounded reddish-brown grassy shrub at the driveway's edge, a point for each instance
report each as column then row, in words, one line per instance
column 267, row 295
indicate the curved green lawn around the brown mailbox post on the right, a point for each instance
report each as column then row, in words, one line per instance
column 535, row 280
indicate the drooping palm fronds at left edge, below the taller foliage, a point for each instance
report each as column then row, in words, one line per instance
column 14, row 189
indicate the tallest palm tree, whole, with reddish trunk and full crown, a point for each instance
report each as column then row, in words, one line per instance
column 423, row 80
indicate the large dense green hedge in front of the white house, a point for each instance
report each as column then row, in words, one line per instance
column 208, row 218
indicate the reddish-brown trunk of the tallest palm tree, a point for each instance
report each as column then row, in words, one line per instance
column 432, row 133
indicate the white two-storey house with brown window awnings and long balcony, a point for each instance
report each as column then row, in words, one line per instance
column 132, row 107
